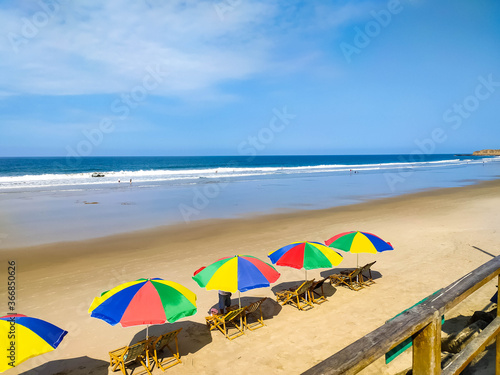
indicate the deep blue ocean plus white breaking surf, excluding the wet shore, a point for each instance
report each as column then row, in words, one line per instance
column 59, row 172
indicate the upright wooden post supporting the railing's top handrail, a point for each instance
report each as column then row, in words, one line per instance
column 427, row 349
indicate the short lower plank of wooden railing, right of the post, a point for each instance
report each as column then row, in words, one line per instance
column 476, row 346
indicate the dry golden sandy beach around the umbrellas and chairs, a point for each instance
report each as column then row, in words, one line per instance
column 438, row 236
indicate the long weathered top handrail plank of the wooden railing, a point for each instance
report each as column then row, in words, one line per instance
column 367, row 349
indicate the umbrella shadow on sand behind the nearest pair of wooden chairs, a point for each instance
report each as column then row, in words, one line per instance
column 192, row 338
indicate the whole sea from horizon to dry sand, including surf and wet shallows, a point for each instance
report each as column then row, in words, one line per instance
column 57, row 199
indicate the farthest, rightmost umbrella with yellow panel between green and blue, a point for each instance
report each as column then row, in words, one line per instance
column 358, row 242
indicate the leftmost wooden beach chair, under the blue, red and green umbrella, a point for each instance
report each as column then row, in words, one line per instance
column 139, row 352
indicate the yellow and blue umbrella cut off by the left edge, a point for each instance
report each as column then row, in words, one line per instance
column 23, row 337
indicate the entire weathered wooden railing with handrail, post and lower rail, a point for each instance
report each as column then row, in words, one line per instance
column 423, row 323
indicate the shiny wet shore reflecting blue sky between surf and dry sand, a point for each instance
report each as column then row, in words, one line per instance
column 78, row 212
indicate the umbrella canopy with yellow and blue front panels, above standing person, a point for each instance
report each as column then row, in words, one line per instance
column 236, row 273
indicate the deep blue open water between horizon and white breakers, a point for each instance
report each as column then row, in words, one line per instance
column 73, row 165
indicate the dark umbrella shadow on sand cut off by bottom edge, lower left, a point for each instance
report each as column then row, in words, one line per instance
column 72, row 366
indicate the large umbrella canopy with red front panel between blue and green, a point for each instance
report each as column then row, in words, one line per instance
column 144, row 301
